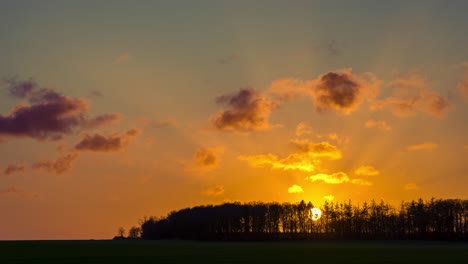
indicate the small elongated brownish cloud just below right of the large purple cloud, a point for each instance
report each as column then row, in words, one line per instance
column 100, row 143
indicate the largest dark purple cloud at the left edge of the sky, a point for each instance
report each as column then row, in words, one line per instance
column 49, row 114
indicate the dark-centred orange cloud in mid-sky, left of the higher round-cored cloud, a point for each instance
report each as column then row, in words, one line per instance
column 248, row 111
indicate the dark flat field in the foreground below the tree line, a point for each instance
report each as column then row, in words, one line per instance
column 232, row 252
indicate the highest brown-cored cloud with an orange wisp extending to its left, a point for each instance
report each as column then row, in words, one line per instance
column 340, row 91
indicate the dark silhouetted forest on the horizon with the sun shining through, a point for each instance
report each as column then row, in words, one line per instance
column 436, row 219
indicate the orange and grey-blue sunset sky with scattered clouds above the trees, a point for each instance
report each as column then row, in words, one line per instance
column 111, row 111
